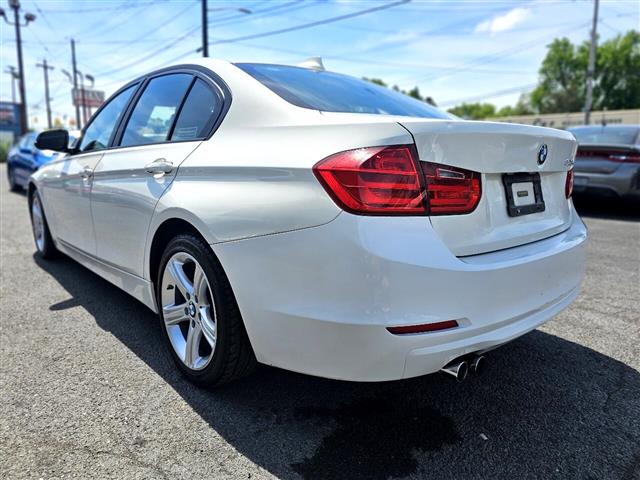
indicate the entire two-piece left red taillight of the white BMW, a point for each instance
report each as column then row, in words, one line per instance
column 391, row 181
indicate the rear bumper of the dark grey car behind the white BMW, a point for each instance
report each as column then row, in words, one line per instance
column 622, row 182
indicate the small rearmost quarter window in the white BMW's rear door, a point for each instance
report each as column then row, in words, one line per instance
column 198, row 114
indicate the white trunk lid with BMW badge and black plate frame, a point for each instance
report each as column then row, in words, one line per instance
column 498, row 151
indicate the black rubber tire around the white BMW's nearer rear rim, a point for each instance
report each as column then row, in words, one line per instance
column 233, row 356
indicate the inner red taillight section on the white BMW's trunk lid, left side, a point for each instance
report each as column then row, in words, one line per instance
column 451, row 190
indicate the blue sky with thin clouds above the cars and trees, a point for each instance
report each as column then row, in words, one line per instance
column 453, row 50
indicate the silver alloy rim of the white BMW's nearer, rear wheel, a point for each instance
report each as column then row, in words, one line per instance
column 188, row 311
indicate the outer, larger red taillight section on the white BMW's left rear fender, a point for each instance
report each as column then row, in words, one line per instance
column 374, row 180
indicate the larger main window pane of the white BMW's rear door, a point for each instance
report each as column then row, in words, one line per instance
column 154, row 113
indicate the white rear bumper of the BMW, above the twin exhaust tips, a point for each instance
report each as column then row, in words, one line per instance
column 318, row 300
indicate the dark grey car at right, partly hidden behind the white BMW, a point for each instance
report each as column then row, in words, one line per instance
column 608, row 160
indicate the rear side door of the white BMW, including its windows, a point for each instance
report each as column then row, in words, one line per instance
column 170, row 119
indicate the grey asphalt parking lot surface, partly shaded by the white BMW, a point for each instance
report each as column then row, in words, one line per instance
column 88, row 392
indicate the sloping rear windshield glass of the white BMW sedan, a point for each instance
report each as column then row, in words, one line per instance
column 333, row 92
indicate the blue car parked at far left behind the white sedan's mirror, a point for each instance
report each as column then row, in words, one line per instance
column 24, row 159
